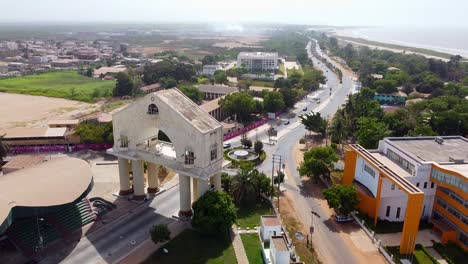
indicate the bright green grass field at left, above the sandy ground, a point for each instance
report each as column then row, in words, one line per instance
column 62, row 84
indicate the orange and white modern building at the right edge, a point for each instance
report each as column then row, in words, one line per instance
column 410, row 179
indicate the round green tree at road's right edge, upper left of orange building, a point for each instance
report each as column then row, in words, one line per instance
column 317, row 162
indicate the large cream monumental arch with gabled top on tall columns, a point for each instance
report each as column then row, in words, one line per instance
column 195, row 150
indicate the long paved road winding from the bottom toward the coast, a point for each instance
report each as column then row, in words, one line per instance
column 327, row 239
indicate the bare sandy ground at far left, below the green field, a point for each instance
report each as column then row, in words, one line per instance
column 27, row 110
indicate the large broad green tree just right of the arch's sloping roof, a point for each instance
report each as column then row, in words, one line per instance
column 241, row 104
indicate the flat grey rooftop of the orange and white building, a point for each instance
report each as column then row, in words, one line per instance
column 428, row 150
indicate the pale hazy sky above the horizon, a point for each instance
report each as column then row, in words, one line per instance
column 416, row 13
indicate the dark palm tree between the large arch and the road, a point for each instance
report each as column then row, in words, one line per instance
column 244, row 186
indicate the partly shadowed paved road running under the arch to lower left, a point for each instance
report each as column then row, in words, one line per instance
column 108, row 244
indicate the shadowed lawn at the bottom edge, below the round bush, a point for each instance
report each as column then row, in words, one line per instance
column 193, row 247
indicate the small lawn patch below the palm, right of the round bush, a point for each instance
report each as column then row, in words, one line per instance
column 249, row 216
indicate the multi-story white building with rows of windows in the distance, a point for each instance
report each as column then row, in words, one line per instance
column 258, row 61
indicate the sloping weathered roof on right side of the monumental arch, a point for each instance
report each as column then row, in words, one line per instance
column 189, row 110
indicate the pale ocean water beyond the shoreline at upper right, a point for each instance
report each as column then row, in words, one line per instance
column 448, row 40
